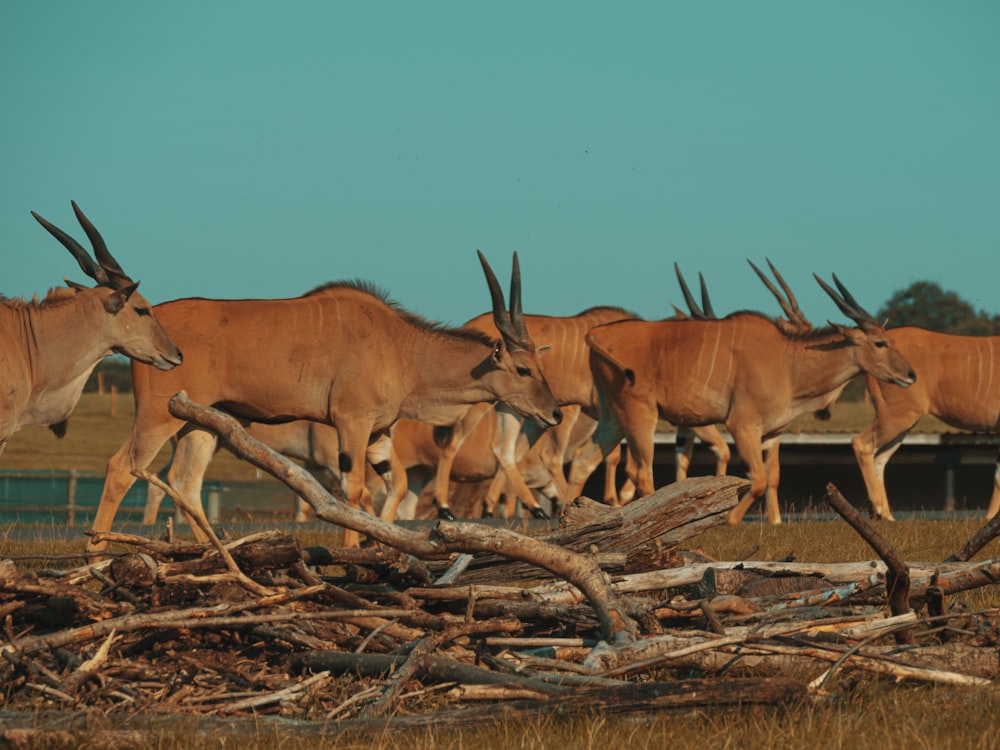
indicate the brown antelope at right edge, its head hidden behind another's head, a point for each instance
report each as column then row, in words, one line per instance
column 959, row 384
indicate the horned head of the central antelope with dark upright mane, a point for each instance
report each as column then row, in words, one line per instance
column 515, row 374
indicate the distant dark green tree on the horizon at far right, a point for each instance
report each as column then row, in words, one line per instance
column 926, row 304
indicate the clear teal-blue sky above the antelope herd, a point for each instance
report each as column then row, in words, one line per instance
column 242, row 149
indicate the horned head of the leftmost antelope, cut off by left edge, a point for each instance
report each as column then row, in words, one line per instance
column 128, row 317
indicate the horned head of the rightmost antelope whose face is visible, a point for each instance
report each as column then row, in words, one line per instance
column 876, row 352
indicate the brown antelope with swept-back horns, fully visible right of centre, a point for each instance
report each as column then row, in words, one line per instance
column 743, row 371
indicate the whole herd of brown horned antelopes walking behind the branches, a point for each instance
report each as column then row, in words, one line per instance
column 367, row 393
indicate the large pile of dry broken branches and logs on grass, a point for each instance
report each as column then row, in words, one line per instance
column 467, row 622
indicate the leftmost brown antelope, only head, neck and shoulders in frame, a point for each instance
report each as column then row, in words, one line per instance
column 50, row 348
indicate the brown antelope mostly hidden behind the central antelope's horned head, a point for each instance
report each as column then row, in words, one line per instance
column 566, row 367
